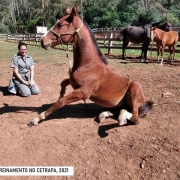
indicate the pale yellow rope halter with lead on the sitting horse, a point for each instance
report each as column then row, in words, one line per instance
column 69, row 32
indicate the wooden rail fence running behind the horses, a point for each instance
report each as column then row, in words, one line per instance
column 106, row 38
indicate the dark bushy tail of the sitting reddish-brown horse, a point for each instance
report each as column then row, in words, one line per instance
column 145, row 108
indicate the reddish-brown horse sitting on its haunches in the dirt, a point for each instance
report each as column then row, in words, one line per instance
column 90, row 76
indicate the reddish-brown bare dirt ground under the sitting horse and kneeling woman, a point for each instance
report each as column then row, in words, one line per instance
column 71, row 136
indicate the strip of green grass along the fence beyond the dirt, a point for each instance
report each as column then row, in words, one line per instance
column 41, row 55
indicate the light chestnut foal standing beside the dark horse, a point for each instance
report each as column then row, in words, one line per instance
column 163, row 39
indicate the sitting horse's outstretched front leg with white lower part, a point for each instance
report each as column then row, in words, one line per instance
column 76, row 95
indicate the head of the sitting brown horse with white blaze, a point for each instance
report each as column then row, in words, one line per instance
column 63, row 31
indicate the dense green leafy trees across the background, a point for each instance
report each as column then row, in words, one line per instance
column 22, row 16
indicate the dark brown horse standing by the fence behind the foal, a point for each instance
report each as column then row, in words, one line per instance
column 137, row 35
